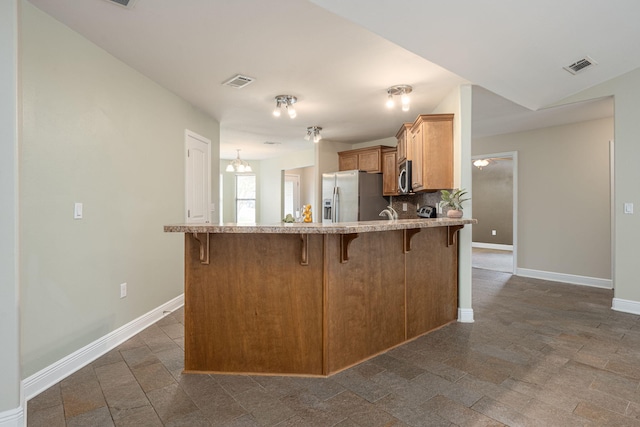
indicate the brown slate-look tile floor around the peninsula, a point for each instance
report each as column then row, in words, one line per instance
column 539, row 354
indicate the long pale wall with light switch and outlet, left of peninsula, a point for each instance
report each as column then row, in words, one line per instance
column 95, row 131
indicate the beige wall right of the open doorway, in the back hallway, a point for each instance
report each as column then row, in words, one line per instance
column 563, row 196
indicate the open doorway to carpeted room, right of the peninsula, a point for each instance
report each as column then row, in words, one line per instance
column 494, row 203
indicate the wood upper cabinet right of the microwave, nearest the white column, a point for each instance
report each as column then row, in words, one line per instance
column 432, row 152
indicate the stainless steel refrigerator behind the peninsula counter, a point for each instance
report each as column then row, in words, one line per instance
column 349, row 196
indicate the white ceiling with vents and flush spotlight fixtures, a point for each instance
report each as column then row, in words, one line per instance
column 340, row 65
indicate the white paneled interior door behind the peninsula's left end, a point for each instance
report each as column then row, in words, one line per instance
column 198, row 178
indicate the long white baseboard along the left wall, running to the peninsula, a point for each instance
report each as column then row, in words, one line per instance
column 54, row 373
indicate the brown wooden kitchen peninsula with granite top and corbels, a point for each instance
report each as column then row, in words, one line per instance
column 313, row 299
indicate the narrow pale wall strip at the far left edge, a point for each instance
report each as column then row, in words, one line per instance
column 9, row 284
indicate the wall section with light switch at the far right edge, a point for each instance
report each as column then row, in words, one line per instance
column 626, row 92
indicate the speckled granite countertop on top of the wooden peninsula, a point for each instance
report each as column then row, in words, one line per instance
column 319, row 228
